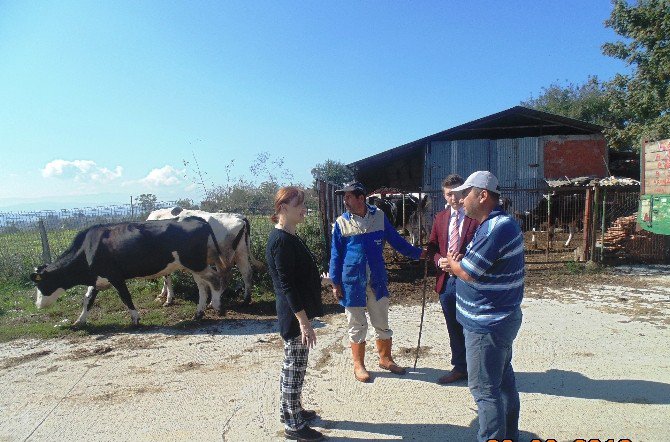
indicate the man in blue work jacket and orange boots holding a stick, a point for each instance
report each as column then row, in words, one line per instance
column 359, row 278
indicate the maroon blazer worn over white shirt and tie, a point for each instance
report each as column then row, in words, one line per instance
column 439, row 241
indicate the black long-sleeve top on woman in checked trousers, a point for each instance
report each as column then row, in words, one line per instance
column 295, row 278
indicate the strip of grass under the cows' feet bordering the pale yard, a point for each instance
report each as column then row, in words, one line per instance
column 20, row 318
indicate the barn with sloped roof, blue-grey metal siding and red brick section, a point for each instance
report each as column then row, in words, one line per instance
column 523, row 147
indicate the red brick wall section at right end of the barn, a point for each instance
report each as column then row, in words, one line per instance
column 574, row 158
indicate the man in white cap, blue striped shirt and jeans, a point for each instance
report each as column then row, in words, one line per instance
column 489, row 291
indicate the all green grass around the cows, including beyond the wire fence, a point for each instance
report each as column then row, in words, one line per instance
column 19, row 318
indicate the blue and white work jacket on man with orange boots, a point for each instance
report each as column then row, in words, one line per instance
column 355, row 247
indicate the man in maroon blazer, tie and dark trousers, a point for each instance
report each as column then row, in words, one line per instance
column 452, row 230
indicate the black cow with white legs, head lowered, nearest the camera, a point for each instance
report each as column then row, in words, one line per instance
column 109, row 254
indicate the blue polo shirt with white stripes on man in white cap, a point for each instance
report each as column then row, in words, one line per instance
column 495, row 260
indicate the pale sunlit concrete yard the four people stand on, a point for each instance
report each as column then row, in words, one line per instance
column 592, row 361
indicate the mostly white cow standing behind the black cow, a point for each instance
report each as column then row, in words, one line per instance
column 233, row 234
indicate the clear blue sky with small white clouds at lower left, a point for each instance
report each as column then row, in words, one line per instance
column 103, row 100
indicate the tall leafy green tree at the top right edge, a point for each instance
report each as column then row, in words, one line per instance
column 640, row 100
